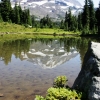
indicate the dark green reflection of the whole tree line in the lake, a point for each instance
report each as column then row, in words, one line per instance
column 7, row 49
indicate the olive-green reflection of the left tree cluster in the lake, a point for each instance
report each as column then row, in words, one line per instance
column 7, row 49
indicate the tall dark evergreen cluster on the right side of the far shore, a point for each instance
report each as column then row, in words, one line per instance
column 87, row 21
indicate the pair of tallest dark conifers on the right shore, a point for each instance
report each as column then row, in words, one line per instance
column 88, row 19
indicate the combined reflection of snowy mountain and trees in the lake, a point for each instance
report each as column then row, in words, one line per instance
column 44, row 52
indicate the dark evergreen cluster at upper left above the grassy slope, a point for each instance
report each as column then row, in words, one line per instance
column 15, row 15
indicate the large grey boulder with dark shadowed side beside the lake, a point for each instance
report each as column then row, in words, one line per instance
column 88, row 79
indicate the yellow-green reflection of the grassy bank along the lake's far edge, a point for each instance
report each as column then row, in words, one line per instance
column 13, row 37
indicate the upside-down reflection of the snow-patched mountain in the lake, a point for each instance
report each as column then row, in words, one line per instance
column 48, row 55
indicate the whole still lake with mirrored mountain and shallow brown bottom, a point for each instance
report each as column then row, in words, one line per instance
column 28, row 67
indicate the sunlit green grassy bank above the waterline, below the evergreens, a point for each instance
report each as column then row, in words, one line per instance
column 14, row 28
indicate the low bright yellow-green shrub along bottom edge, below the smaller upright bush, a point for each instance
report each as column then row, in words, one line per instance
column 60, row 94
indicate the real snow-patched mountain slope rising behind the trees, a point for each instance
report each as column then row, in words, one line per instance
column 54, row 8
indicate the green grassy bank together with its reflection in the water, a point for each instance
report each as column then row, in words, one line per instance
column 21, row 32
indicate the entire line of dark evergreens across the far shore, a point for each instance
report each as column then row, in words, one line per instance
column 87, row 21
